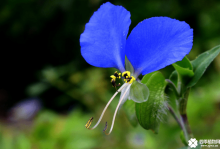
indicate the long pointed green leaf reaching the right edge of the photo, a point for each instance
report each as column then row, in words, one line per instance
column 201, row 63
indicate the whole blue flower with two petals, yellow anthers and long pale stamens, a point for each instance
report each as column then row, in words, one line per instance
column 153, row 44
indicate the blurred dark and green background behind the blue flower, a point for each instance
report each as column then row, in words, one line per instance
column 48, row 92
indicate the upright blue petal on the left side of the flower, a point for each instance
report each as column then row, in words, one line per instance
column 103, row 41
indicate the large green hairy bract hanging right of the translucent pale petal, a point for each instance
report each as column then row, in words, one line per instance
column 151, row 112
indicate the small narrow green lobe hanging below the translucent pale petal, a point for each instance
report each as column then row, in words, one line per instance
column 129, row 108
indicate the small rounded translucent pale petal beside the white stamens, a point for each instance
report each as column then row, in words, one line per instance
column 138, row 92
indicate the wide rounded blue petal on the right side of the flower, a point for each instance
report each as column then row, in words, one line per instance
column 157, row 42
